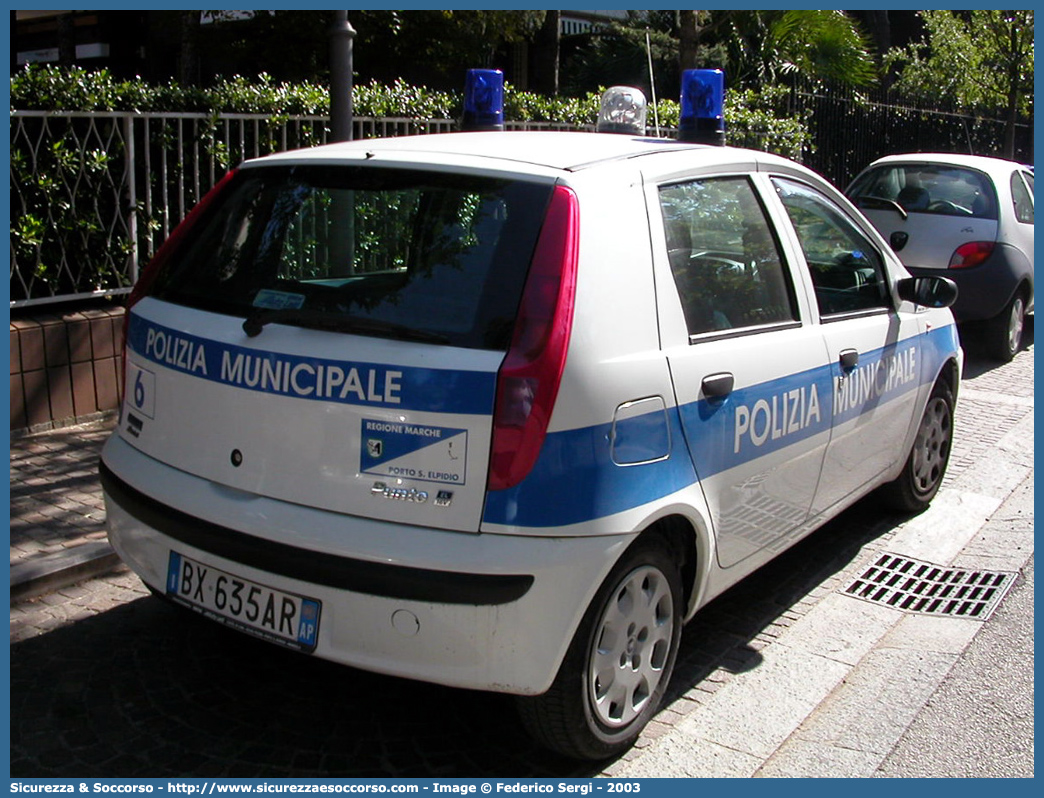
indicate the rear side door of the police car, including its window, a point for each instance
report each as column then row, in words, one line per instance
column 750, row 377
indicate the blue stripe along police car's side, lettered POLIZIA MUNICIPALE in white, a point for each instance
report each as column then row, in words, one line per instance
column 597, row 487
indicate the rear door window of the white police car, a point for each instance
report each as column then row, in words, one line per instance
column 725, row 259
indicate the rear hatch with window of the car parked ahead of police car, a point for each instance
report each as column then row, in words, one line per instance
column 929, row 213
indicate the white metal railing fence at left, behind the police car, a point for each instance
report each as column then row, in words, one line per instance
column 94, row 195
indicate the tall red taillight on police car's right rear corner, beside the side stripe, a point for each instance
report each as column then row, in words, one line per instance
column 530, row 377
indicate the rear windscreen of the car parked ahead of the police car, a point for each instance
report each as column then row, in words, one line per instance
column 928, row 189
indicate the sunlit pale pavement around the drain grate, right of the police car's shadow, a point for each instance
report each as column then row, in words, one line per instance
column 849, row 690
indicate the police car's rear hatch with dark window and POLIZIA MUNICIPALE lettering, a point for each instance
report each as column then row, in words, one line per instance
column 331, row 337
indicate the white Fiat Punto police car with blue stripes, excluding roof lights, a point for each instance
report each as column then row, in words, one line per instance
column 504, row 411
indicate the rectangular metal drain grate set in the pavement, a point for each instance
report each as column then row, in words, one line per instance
column 918, row 586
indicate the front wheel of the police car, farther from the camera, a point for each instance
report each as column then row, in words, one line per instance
column 922, row 476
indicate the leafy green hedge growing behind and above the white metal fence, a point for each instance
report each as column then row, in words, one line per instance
column 63, row 234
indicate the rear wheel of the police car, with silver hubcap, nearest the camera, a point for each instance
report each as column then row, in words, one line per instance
column 620, row 663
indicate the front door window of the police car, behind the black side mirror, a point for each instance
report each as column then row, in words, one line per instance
column 847, row 271
